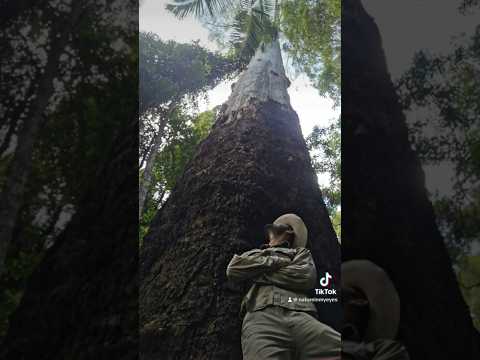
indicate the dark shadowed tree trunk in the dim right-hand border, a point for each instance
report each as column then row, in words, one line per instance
column 386, row 214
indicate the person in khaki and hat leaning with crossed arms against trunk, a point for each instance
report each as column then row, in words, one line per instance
column 275, row 324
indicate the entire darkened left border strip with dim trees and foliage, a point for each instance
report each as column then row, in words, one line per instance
column 69, row 179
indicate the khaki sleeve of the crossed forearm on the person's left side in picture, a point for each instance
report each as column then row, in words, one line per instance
column 252, row 264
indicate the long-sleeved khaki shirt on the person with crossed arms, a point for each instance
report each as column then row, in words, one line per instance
column 281, row 275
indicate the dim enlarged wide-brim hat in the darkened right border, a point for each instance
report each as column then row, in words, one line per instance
column 382, row 296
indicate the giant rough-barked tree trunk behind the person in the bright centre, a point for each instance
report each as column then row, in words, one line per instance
column 253, row 167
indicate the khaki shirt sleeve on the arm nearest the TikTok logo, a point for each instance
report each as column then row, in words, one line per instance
column 299, row 274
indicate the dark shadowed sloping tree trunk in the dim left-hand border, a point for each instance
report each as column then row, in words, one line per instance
column 81, row 302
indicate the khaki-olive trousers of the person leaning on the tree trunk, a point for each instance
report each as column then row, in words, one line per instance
column 282, row 334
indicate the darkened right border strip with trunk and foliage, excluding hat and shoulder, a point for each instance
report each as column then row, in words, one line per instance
column 410, row 175
